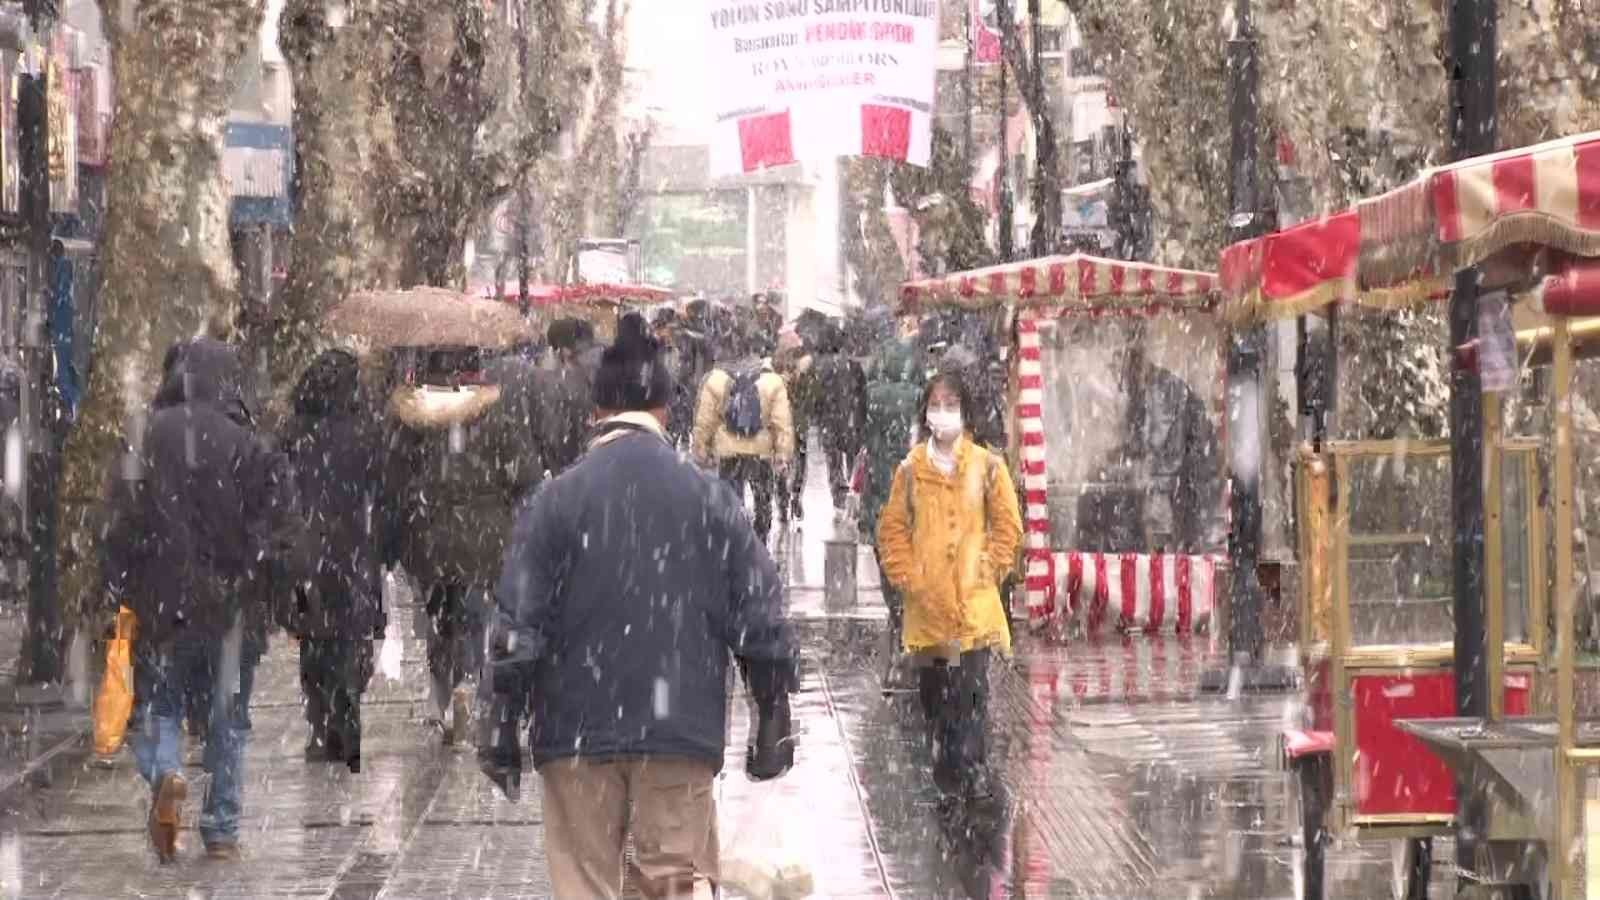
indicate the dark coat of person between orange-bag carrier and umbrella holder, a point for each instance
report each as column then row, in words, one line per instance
column 337, row 452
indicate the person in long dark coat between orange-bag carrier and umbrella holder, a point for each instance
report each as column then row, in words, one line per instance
column 337, row 452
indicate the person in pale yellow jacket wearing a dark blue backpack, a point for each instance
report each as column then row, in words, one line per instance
column 743, row 427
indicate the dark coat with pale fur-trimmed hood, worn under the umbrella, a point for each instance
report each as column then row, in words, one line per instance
column 458, row 464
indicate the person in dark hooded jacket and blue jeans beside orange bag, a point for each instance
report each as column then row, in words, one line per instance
column 209, row 507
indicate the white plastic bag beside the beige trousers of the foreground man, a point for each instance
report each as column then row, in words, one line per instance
column 766, row 853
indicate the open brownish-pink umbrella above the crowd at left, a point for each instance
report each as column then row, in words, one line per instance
column 428, row 318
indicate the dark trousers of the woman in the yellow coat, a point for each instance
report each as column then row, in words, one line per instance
column 956, row 702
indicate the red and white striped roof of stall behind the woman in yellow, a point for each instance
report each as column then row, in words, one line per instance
column 1089, row 283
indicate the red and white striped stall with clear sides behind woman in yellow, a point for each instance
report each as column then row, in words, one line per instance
column 1116, row 371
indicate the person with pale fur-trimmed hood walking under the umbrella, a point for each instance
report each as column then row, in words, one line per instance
column 460, row 462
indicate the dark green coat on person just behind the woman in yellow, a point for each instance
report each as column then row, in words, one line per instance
column 894, row 398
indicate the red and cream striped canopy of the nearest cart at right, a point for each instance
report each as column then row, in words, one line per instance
column 1402, row 246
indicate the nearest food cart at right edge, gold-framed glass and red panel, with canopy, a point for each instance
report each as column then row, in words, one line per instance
column 1380, row 750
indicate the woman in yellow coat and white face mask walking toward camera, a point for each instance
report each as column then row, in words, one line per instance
column 946, row 539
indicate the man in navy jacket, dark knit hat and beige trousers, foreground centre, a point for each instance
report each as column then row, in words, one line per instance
column 628, row 585
